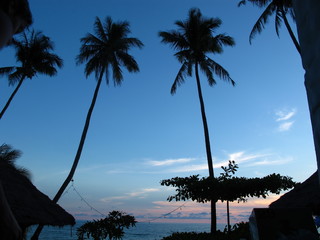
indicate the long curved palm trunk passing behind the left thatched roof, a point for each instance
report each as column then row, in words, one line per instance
column 78, row 154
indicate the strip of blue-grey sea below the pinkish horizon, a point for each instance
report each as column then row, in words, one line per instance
column 142, row 230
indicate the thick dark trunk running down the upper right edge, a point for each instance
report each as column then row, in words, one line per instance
column 307, row 17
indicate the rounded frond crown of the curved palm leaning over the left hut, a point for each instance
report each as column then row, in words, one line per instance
column 108, row 48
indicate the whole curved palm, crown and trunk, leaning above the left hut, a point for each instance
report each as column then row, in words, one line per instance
column 105, row 50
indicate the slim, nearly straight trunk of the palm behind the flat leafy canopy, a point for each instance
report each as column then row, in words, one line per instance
column 208, row 149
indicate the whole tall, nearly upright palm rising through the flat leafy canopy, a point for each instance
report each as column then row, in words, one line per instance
column 194, row 40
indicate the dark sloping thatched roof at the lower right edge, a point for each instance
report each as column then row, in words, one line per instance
column 304, row 195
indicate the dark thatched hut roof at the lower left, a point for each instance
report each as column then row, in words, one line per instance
column 28, row 204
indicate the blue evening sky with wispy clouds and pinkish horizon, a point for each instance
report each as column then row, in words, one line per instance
column 140, row 134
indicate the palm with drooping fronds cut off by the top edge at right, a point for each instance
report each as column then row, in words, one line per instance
column 278, row 7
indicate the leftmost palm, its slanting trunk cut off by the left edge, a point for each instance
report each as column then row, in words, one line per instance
column 33, row 52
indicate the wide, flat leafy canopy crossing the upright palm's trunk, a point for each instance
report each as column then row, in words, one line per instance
column 226, row 188
